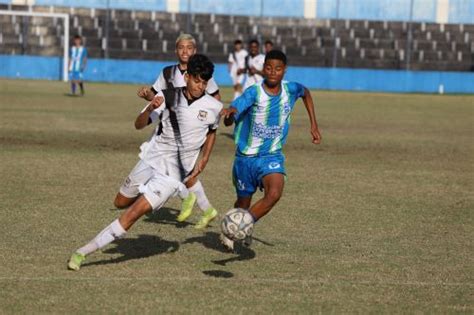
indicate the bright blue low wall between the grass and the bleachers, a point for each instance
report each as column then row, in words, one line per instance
column 145, row 72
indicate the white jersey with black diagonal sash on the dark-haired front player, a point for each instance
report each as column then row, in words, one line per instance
column 182, row 130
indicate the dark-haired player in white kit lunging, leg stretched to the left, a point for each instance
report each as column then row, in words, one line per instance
column 189, row 119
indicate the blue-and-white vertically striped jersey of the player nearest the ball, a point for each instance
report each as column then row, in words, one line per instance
column 263, row 120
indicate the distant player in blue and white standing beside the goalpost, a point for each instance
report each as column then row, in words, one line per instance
column 77, row 64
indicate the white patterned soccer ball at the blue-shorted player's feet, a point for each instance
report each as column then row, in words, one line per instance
column 237, row 224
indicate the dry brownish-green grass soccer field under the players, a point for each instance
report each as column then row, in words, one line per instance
column 378, row 218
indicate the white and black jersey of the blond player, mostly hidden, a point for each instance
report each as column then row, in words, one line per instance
column 173, row 77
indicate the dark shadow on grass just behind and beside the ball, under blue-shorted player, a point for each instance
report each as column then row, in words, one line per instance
column 211, row 240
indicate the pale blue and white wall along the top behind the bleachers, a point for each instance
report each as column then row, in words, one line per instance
column 438, row 11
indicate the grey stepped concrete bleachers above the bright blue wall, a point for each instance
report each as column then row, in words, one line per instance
column 127, row 34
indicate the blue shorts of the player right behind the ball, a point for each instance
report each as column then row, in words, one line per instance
column 248, row 171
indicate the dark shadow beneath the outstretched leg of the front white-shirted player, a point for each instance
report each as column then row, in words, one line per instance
column 137, row 248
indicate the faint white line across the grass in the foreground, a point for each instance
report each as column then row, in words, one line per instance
column 249, row 280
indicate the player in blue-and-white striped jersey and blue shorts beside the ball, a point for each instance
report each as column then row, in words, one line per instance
column 262, row 121
